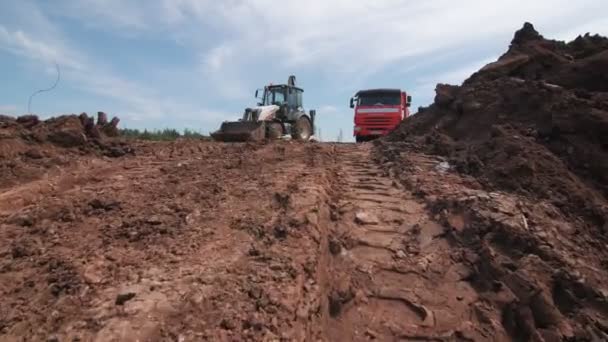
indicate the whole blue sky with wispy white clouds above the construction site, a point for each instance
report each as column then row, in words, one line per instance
column 194, row 63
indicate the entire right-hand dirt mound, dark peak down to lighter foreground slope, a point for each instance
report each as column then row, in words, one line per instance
column 521, row 177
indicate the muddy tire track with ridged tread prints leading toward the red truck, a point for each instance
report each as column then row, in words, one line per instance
column 393, row 274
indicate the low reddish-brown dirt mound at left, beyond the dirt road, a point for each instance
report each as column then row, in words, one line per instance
column 30, row 147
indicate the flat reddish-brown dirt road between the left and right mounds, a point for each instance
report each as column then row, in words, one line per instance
column 193, row 241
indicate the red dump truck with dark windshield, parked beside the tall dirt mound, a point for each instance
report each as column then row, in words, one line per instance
column 378, row 112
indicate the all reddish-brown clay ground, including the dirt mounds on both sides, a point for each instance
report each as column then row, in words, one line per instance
column 436, row 233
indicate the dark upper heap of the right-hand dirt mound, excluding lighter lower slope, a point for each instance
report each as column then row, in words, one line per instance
column 534, row 122
